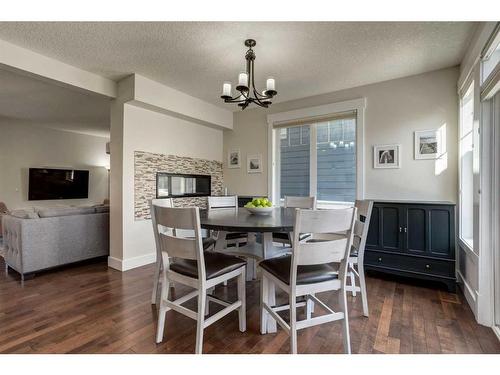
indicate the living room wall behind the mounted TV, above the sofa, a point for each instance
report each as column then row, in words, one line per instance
column 25, row 146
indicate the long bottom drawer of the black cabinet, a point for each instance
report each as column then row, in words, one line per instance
column 427, row 266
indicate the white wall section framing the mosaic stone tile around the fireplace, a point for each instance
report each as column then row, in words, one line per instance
column 146, row 130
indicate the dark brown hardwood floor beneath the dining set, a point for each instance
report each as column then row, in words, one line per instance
column 93, row 309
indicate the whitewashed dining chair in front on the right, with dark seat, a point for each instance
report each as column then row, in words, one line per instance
column 315, row 265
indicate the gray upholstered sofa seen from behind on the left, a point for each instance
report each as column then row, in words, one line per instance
column 38, row 240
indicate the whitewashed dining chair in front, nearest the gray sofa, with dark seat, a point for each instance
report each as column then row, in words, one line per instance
column 184, row 261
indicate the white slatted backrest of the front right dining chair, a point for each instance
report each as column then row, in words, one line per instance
column 331, row 240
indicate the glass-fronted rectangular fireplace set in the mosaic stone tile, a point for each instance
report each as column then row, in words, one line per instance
column 172, row 185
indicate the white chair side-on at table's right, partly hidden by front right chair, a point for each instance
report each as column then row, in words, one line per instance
column 357, row 256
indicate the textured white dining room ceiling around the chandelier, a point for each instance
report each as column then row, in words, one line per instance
column 306, row 58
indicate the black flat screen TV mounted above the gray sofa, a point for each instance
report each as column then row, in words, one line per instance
column 45, row 184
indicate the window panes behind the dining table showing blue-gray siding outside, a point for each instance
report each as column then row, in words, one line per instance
column 318, row 159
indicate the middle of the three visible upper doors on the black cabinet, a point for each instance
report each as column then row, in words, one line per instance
column 415, row 229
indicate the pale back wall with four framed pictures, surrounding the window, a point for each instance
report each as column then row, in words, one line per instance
column 394, row 110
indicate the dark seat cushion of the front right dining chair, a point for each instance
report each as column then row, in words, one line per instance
column 280, row 267
